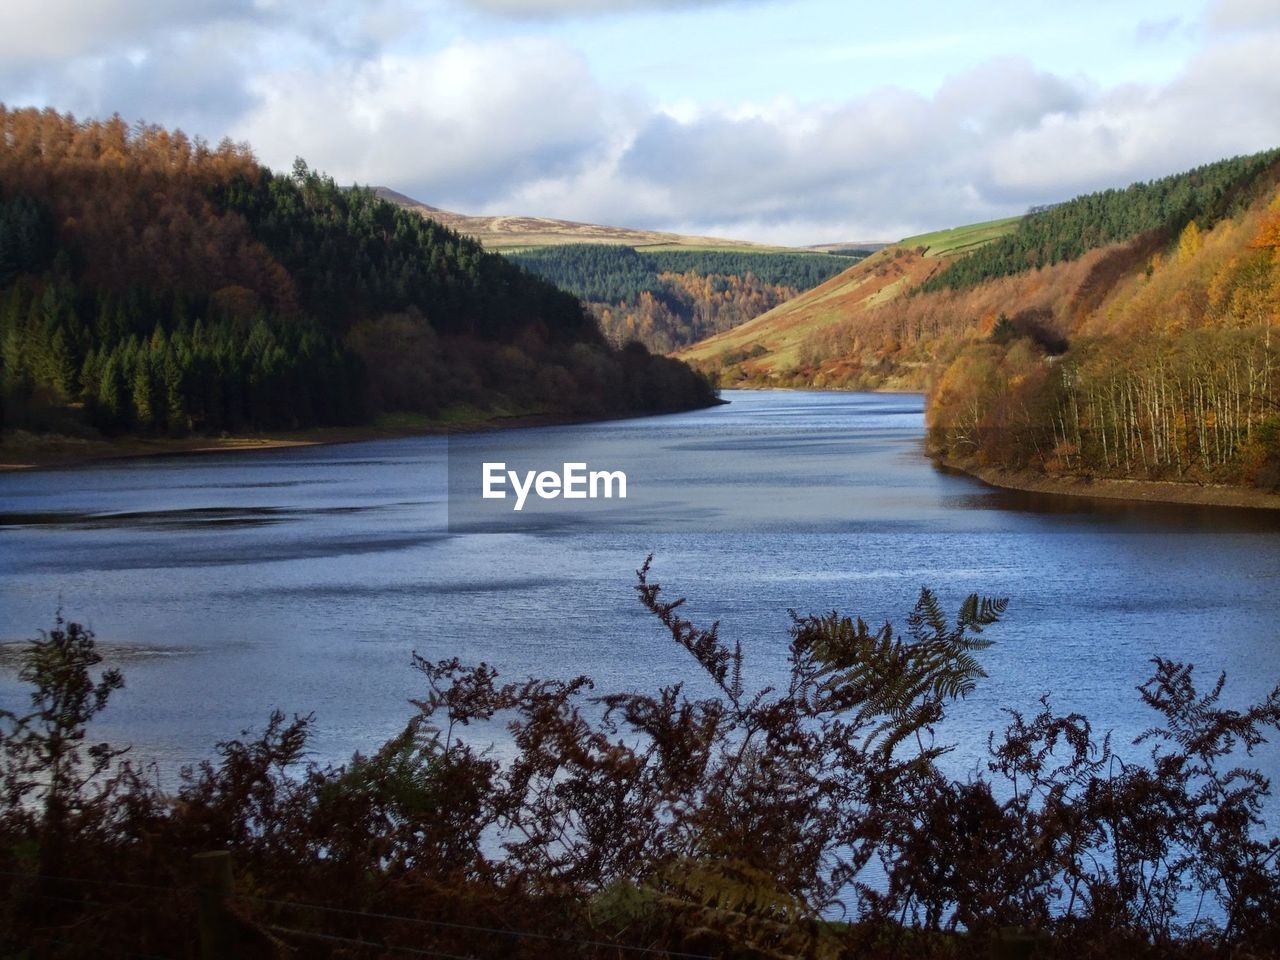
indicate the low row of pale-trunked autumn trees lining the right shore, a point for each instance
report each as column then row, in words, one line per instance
column 1201, row 406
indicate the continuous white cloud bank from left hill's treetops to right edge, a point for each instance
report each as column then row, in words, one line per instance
column 523, row 127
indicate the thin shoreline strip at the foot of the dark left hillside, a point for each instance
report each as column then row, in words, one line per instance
column 33, row 452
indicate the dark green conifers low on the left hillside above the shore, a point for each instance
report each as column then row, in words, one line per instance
column 136, row 364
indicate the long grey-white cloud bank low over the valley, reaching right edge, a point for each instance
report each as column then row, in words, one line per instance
column 990, row 143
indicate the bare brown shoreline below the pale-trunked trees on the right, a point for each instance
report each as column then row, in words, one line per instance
column 1113, row 490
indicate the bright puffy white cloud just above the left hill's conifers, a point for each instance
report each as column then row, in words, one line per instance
column 463, row 124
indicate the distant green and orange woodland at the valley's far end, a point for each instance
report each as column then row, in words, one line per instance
column 670, row 299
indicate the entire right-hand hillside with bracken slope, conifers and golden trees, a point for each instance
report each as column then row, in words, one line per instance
column 1124, row 335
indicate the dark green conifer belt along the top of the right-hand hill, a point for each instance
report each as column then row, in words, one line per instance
column 1068, row 231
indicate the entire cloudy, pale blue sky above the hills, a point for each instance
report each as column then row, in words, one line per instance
column 788, row 122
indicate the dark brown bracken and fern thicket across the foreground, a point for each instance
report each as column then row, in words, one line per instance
column 808, row 820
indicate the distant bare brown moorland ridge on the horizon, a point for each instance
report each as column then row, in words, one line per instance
column 514, row 232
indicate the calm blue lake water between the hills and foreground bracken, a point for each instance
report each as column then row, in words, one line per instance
column 304, row 579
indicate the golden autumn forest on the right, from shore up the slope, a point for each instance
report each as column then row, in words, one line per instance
column 1183, row 383
